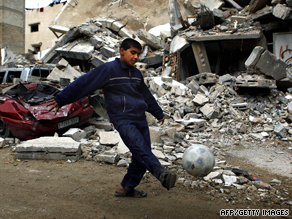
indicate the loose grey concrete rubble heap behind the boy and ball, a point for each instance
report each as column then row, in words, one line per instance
column 216, row 116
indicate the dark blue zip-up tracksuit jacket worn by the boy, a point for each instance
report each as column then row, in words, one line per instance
column 125, row 93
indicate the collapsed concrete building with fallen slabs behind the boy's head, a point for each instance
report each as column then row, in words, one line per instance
column 204, row 40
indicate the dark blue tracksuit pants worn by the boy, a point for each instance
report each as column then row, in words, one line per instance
column 136, row 137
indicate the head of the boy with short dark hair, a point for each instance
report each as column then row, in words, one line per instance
column 130, row 50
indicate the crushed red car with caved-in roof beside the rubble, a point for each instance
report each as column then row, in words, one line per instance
column 24, row 112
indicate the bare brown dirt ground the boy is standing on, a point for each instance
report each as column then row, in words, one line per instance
column 85, row 189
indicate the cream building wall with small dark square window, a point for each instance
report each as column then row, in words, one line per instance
column 44, row 35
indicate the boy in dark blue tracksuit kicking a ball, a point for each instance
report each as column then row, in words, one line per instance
column 126, row 100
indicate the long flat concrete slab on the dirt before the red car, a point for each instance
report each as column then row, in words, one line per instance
column 62, row 148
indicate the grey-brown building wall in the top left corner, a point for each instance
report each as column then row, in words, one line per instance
column 12, row 20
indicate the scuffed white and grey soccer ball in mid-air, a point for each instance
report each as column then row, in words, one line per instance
column 198, row 160
